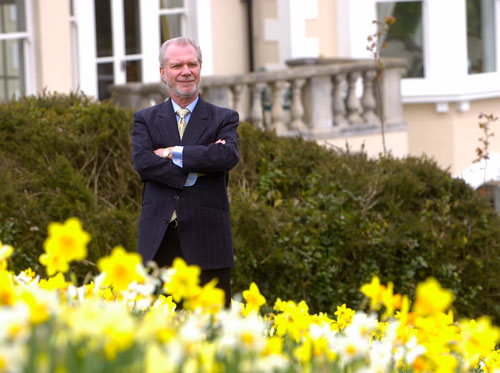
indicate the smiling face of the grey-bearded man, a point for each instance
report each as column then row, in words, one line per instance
column 181, row 71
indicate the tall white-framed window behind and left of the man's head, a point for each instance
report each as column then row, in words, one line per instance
column 117, row 41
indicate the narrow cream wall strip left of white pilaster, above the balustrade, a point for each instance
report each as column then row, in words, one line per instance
column 324, row 28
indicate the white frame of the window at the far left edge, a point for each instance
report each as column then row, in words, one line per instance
column 28, row 49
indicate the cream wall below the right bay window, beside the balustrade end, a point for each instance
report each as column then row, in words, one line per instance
column 449, row 138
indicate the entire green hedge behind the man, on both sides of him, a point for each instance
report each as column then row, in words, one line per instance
column 308, row 222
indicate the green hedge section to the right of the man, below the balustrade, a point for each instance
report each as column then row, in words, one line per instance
column 314, row 223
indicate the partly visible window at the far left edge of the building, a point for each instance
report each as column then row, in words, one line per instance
column 13, row 34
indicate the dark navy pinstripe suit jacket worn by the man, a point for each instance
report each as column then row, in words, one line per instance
column 202, row 209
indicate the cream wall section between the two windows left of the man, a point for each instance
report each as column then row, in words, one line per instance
column 53, row 45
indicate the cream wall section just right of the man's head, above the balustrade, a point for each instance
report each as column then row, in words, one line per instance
column 229, row 37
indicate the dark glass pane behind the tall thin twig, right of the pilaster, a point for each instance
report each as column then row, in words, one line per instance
column 405, row 37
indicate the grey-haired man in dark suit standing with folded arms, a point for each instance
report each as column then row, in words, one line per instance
column 183, row 158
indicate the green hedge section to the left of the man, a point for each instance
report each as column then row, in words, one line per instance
column 63, row 156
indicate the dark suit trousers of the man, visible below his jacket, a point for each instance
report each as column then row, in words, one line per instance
column 170, row 249
